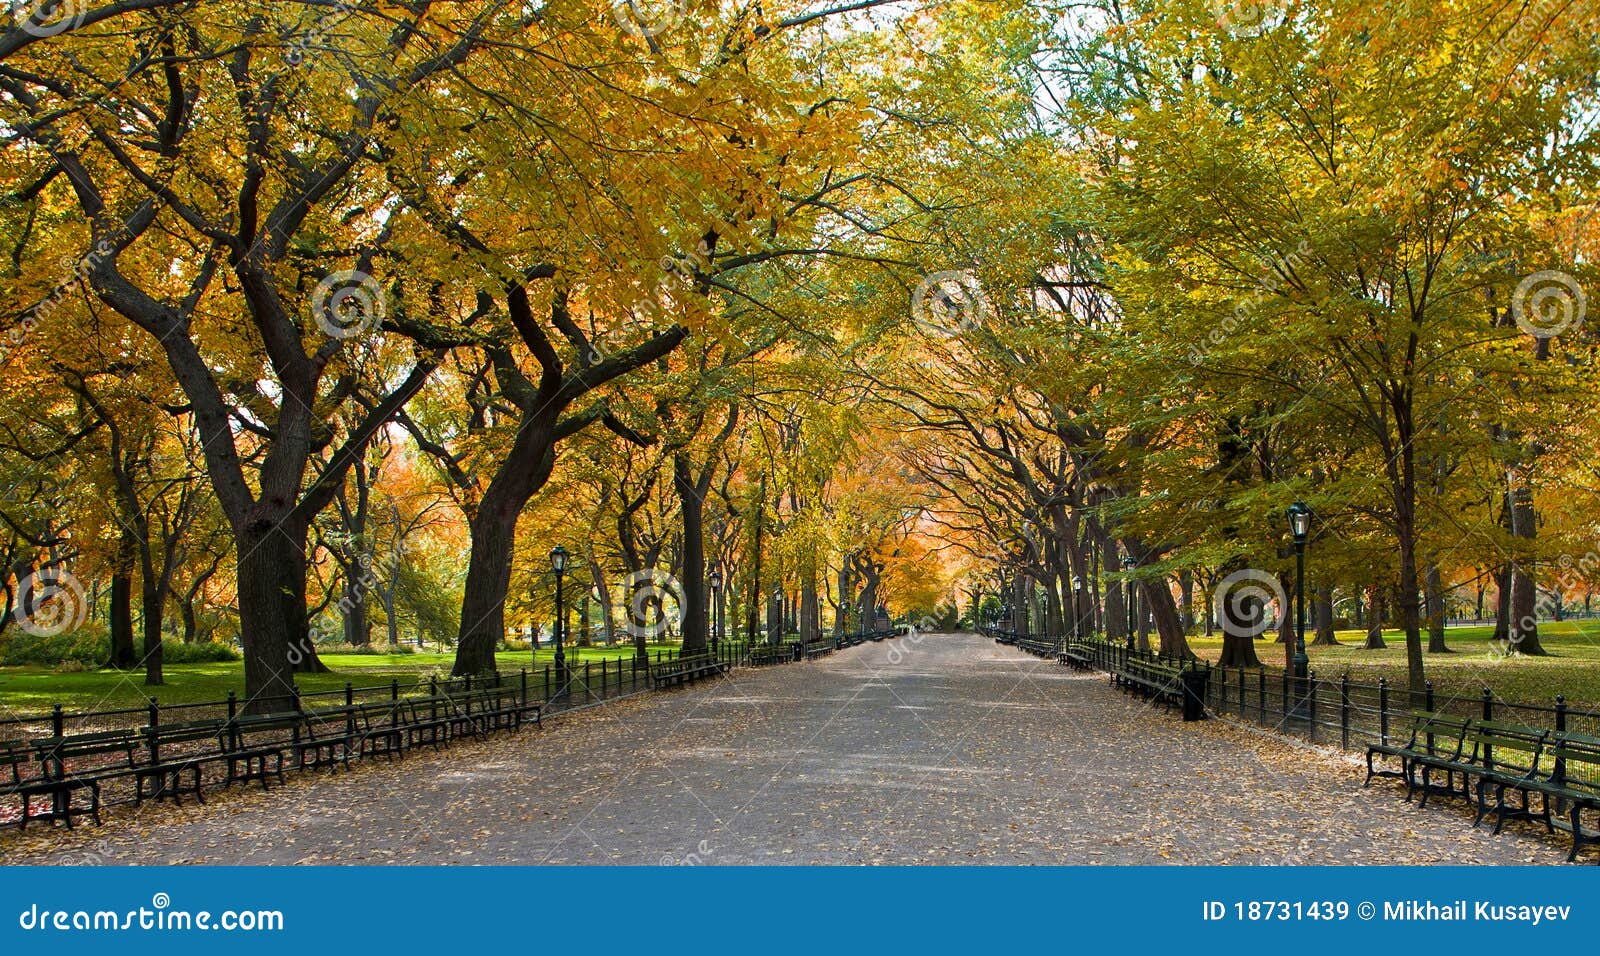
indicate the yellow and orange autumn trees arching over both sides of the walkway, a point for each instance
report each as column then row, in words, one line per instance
column 327, row 324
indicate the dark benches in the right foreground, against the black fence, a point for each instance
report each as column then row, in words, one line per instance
column 1486, row 762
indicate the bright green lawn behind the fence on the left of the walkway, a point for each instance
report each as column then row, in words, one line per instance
column 34, row 690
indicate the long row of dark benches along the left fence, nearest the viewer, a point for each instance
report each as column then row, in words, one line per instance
column 167, row 760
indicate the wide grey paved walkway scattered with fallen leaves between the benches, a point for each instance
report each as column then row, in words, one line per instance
column 938, row 751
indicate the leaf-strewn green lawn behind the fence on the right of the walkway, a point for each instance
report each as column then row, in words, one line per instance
column 1572, row 669
